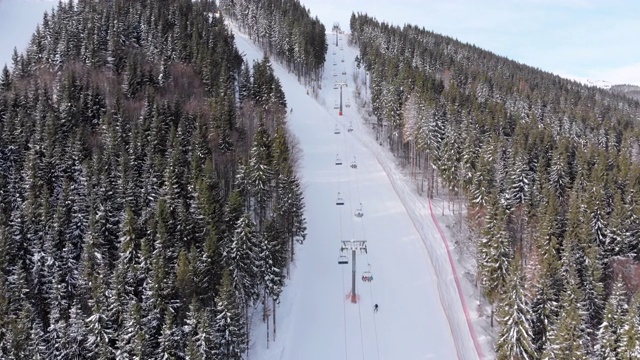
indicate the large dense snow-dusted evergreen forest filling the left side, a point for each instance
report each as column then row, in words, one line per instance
column 149, row 196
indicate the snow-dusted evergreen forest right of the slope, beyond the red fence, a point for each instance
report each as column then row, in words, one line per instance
column 548, row 170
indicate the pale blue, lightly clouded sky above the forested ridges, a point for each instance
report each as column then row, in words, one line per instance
column 594, row 39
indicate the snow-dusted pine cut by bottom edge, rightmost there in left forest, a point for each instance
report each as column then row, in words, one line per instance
column 229, row 325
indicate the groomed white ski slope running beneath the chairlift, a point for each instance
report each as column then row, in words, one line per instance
column 420, row 315
